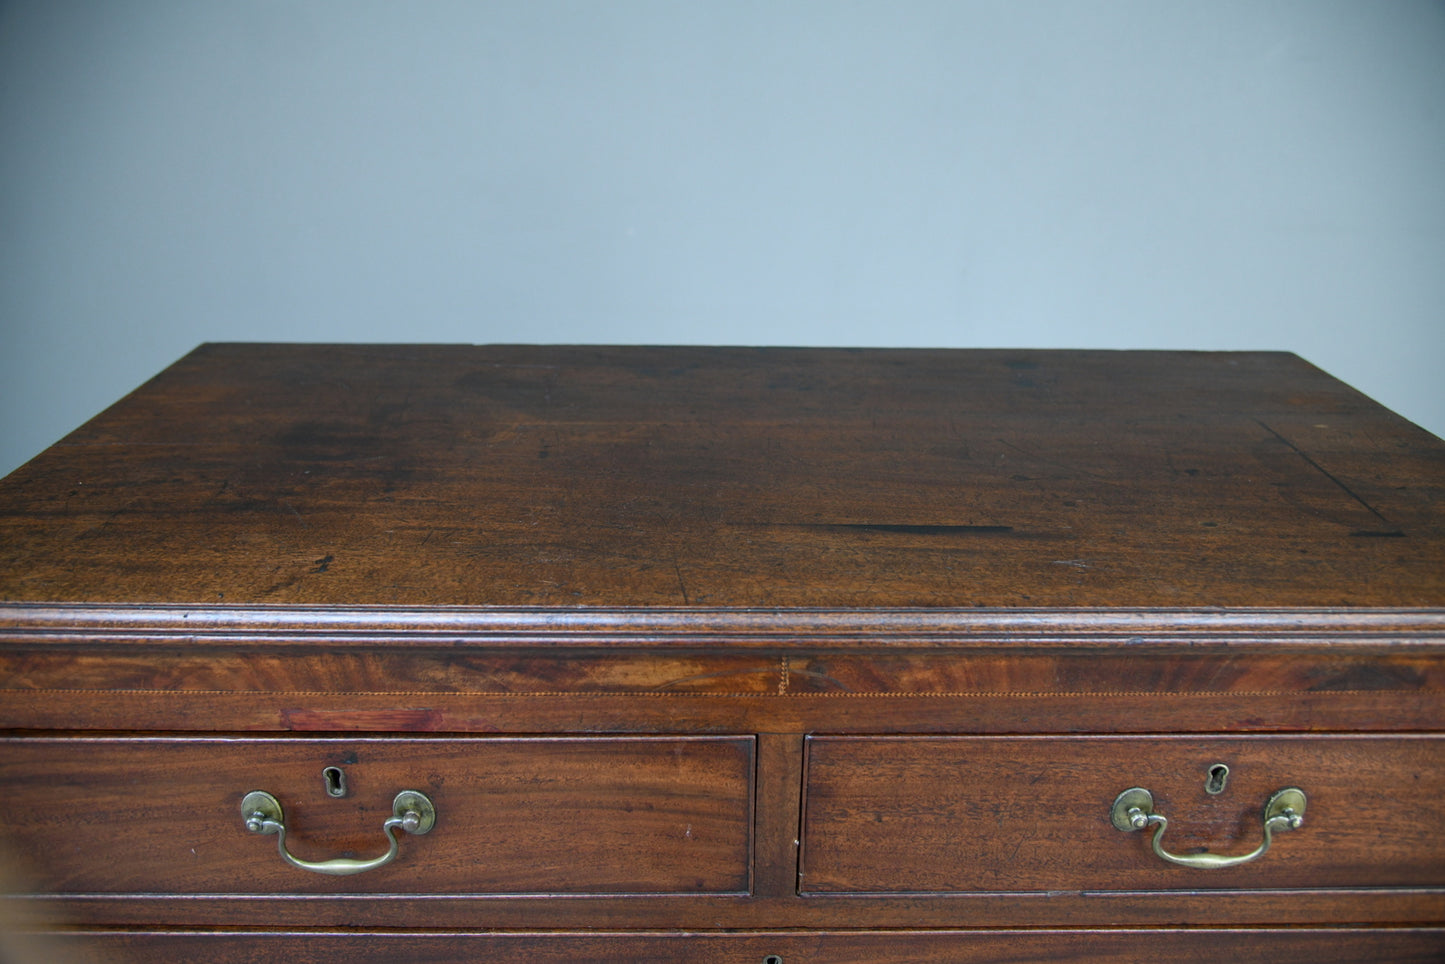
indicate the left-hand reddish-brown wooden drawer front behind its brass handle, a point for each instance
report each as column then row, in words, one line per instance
column 512, row 816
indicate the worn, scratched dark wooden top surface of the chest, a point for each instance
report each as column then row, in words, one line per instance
column 582, row 479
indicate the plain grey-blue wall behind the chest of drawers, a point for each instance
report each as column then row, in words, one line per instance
column 1058, row 174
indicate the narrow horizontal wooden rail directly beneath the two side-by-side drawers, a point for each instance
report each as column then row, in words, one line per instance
column 1378, row 907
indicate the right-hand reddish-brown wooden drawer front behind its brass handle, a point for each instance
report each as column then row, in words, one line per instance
column 993, row 814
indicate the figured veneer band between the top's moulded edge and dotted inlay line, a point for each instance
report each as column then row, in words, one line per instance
column 1200, row 668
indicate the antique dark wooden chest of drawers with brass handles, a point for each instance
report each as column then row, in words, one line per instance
column 420, row 653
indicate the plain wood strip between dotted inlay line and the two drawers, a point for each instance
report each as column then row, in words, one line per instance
column 1265, row 712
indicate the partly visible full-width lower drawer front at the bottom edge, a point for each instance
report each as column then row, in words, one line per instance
column 1352, row 946
